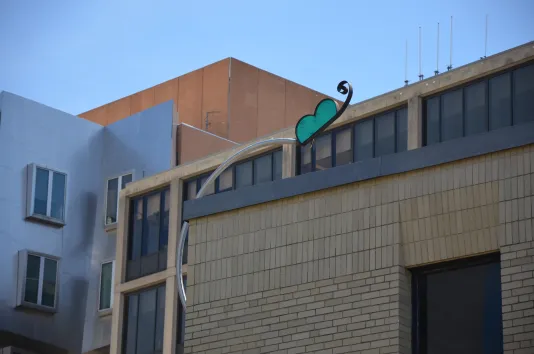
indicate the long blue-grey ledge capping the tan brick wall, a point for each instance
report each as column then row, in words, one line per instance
column 449, row 151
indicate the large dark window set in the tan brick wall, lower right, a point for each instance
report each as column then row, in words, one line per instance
column 457, row 307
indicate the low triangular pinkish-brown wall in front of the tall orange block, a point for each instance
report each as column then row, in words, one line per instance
column 194, row 144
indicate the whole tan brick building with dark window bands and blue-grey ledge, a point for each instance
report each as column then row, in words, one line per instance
column 406, row 228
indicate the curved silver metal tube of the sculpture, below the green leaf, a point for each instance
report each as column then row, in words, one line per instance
column 202, row 191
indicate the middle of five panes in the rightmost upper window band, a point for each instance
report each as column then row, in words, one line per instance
column 475, row 109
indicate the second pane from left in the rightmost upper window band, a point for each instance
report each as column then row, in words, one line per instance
column 451, row 115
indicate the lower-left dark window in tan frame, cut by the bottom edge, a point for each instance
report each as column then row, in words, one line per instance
column 143, row 331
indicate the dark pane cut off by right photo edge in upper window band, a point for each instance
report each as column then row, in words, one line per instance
column 524, row 94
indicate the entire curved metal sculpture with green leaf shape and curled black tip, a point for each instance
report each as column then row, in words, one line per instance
column 306, row 130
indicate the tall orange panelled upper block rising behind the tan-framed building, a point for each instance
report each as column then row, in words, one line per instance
column 242, row 101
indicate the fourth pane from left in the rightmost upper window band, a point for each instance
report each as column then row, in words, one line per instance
column 500, row 101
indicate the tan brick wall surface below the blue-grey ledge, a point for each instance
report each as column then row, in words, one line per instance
column 261, row 276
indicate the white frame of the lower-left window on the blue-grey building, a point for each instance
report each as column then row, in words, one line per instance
column 21, row 280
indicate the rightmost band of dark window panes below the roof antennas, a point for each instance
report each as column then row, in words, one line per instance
column 493, row 103
